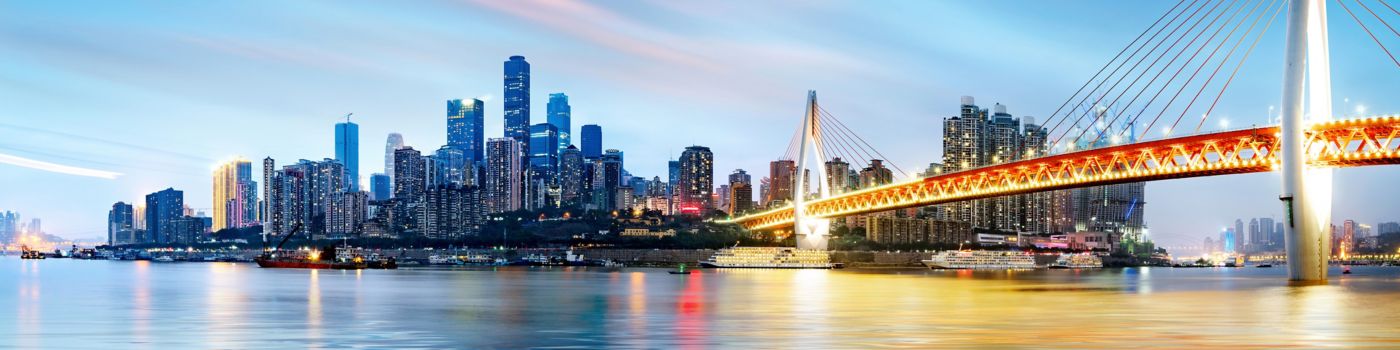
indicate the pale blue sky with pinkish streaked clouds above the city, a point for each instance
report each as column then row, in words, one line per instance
column 107, row 101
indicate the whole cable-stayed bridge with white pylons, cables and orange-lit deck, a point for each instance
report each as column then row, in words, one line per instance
column 1304, row 148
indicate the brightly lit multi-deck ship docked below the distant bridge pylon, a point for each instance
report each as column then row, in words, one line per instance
column 771, row 258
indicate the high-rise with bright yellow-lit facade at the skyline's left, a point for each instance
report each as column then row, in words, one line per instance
column 236, row 195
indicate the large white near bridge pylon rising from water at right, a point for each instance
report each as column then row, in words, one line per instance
column 1307, row 191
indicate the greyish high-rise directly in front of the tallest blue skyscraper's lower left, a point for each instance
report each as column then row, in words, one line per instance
column 503, row 176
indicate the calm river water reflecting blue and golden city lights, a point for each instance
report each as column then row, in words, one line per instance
column 86, row 304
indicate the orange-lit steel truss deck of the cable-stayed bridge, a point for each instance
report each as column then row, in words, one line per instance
column 1342, row 143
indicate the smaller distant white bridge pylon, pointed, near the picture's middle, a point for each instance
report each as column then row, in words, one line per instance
column 811, row 232
